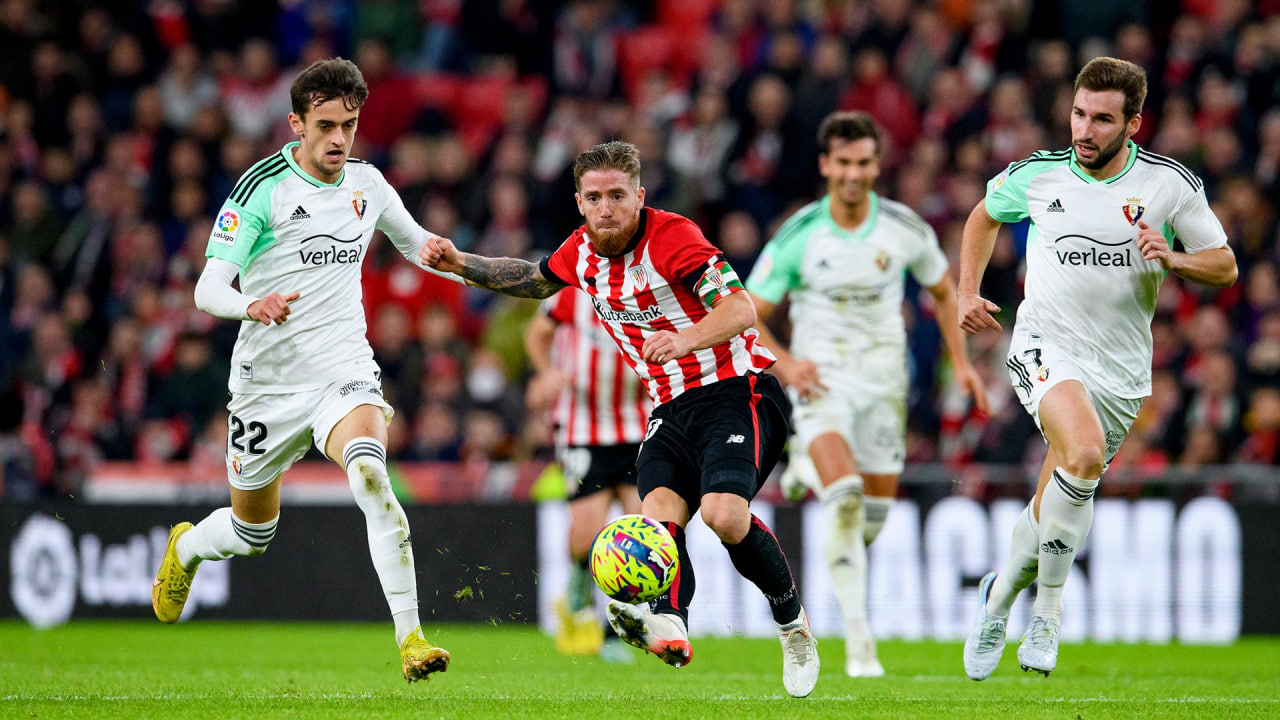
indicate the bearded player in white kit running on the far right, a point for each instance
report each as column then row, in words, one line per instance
column 1109, row 222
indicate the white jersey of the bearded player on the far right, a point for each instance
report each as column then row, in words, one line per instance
column 1089, row 288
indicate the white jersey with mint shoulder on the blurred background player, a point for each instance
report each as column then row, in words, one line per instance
column 847, row 285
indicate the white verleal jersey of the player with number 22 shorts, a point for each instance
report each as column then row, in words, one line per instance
column 290, row 233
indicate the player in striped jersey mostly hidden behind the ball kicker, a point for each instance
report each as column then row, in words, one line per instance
column 600, row 411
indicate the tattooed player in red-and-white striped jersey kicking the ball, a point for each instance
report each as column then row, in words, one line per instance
column 680, row 316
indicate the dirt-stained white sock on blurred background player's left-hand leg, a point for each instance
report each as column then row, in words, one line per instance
column 847, row 549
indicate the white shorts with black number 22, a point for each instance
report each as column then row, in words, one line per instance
column 268, row 434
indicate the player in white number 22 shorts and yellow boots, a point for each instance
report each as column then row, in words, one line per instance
column 296, row 229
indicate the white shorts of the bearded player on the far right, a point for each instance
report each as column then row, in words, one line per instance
column 1036, row 364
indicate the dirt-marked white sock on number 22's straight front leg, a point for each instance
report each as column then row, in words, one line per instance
column 390, row 545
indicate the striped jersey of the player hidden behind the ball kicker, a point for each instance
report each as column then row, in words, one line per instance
column 606, row 404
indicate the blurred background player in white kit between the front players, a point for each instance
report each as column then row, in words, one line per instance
column 844, row 262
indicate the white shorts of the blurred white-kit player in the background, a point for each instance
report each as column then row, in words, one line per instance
column 866, row 404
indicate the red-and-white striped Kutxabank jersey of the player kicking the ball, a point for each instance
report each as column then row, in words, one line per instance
column 668, row 281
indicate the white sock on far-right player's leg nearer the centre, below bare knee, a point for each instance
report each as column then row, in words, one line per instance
column 1067, row 516
